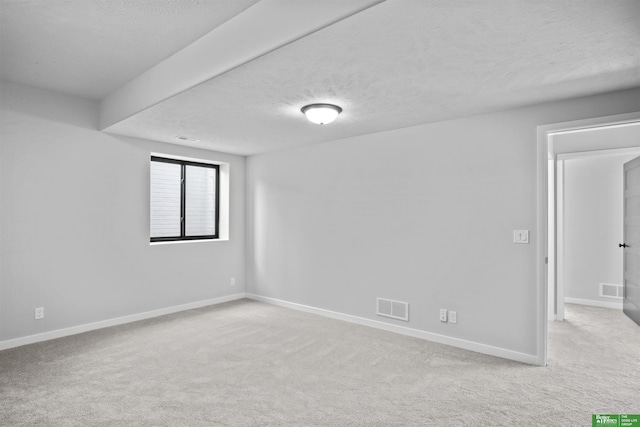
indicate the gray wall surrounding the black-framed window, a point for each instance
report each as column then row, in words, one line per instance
column 74, row 228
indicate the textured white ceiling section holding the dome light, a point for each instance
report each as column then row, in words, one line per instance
column 403, row 63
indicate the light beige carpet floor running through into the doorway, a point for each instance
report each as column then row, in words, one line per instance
column 247, row 363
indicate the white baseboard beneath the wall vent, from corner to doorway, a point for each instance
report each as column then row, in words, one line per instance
column 416, row 333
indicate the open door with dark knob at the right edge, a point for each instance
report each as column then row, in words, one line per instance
column 631, row 244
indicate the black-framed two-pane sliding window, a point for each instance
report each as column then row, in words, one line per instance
column 185, row 200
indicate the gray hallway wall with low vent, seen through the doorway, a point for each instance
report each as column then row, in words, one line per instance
column 593, row 196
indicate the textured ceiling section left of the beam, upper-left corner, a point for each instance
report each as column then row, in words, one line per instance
column 89, row 48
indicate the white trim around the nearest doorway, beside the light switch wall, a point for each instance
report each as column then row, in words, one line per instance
column 543, row 133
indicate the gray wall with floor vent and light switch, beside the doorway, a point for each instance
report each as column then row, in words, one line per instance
column 423, row 214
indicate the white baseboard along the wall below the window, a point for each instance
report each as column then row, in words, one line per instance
column 59, row 333
